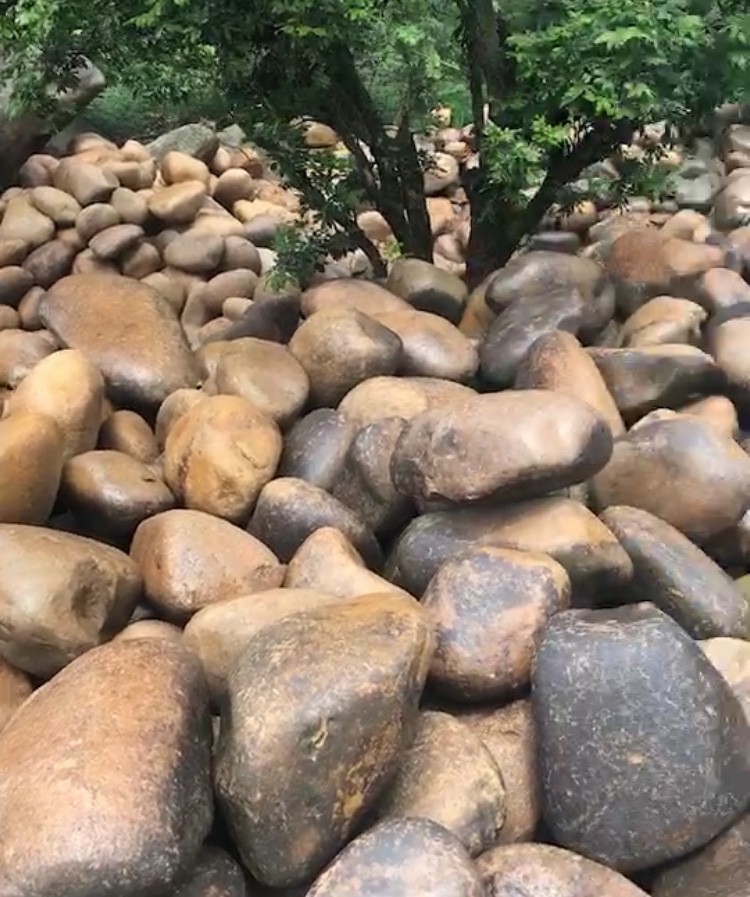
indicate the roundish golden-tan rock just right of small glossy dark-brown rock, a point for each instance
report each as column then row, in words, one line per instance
column 219, row 454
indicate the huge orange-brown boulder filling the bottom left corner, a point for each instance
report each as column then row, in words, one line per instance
column 125, row 801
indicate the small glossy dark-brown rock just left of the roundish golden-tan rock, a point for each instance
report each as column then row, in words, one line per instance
column 109, row 493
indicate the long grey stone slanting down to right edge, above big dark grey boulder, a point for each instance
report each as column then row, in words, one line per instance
column 676, row 576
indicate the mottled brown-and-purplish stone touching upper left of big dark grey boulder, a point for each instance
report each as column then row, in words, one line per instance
column 488, row 608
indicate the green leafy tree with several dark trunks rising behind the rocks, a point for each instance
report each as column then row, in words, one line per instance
column 553, row 86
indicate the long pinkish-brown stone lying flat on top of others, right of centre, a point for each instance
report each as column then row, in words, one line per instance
column 548, row 440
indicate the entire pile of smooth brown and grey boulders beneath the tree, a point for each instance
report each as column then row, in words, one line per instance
column 380, row 588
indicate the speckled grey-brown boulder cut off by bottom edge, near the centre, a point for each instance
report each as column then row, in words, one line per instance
column 401, row 858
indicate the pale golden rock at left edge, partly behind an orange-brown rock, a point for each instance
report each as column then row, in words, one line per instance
column 67, row 388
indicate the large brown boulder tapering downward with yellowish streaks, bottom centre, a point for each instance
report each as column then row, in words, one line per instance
column 337, row 738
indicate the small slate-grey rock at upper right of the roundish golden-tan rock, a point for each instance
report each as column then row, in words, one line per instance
column 316, row 446
